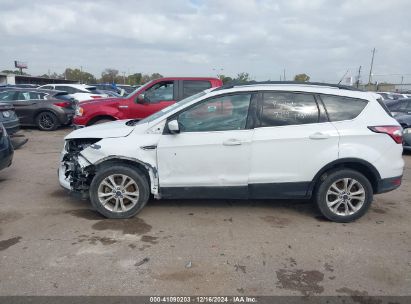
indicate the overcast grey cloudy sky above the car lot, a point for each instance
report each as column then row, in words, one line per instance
column 199, row 38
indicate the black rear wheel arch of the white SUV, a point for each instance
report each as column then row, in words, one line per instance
column 360, row 165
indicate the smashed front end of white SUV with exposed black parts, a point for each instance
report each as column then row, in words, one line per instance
column 76, row 172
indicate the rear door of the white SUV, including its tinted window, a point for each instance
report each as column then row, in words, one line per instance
column 292, row 141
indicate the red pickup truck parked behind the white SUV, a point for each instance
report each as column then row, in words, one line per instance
column 146, row 100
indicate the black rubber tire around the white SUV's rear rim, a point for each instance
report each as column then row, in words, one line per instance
column 324, row 185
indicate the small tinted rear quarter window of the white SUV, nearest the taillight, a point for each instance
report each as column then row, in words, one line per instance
column 343, row 108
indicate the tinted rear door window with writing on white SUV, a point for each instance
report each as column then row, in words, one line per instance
column 280, row 109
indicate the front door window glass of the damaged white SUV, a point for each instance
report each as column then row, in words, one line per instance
column 220, row 113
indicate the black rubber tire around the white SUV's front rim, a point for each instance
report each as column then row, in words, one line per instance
column 119, row 169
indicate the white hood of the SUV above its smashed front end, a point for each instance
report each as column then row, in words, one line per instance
column 116, row 128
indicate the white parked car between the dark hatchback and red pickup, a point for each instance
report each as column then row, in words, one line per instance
column 80, row 92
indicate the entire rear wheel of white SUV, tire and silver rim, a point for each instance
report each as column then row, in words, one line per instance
column 344, row 195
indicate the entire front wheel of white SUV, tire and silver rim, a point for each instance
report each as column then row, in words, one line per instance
column 119, row 191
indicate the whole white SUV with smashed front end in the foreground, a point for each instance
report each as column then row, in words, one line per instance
column 255, row 141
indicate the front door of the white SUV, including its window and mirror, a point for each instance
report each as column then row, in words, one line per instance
column 210, row 156
